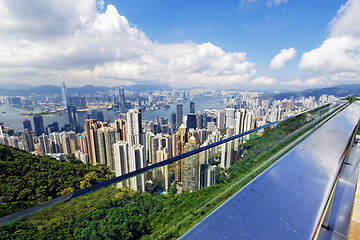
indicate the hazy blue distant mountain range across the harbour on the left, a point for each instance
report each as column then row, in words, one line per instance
column 12, row 90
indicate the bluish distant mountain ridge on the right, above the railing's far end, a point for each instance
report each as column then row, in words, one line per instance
column 338, row 91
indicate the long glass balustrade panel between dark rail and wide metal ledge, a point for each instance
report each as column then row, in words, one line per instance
column 167, row 201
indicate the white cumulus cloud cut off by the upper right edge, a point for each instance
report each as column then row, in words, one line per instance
column 340, row 52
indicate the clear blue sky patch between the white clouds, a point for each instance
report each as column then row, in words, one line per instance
column 254, row 27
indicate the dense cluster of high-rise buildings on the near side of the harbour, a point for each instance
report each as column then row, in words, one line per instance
column 128, row 143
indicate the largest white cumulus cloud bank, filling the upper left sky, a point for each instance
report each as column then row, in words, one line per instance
column 47, row 41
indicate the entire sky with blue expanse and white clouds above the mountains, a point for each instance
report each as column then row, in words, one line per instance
column 243, row 44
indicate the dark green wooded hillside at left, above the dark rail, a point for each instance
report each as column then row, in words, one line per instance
column 27, row 180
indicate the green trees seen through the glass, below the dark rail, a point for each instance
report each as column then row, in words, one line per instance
column 114, row 213
